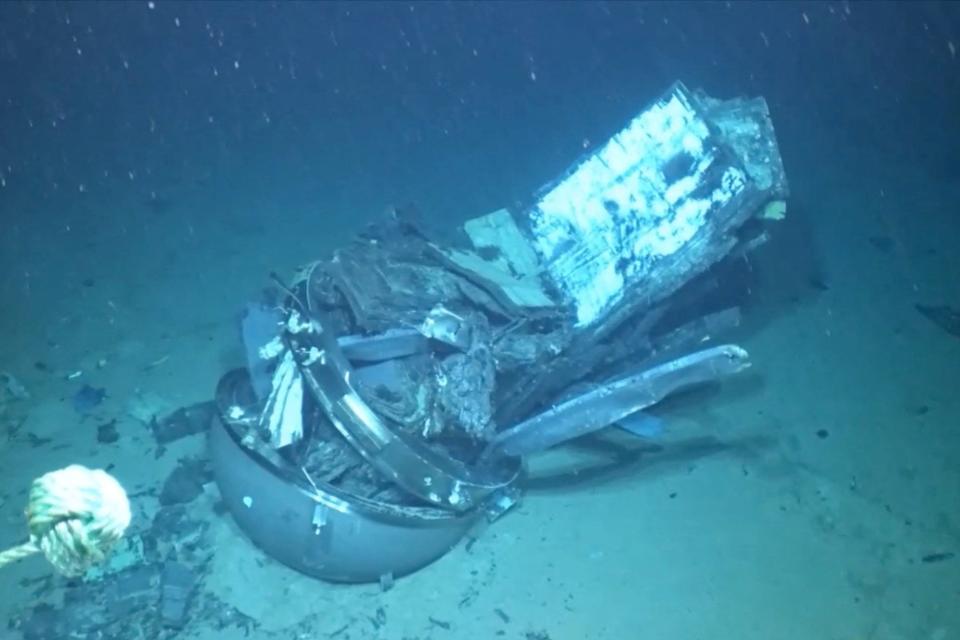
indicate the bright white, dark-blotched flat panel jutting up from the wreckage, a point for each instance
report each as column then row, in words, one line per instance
column 648, row 192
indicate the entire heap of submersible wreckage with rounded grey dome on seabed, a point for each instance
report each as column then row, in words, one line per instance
column 393, row 389
